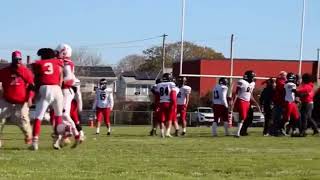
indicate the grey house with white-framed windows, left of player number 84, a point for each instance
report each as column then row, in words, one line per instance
column 135, row 86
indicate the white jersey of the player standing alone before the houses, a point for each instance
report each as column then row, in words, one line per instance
column 104, row 98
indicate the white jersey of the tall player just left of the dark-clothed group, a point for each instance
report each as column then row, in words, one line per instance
column 245, row 89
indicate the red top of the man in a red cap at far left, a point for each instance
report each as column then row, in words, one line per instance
column 15, row 82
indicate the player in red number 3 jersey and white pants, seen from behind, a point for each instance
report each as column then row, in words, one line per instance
column 49, row 76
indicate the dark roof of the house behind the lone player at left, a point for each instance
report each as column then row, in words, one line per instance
column 94, row 71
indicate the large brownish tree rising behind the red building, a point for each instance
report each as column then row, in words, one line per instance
column 191, row 51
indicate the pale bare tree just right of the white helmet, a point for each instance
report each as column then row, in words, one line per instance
column 84, row 57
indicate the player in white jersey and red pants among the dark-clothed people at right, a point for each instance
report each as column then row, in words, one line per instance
column 291, row 108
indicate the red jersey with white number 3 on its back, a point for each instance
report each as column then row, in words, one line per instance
column 48, row 71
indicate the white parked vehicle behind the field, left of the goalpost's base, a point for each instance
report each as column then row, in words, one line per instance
column 202, row 116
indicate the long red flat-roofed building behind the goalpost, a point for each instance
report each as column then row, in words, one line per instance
column 262, row 67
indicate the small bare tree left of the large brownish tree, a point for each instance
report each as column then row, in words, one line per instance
column 130, row 63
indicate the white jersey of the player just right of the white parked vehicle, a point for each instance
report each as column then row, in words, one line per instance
column 219, row 95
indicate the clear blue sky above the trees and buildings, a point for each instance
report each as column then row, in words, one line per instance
column 263, row 28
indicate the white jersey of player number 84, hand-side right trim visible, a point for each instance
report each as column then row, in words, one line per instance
column 164, row 89
